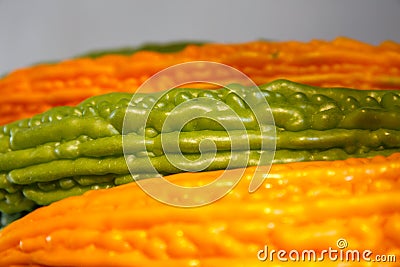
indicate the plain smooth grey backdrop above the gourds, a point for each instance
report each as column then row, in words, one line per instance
column 46, row 30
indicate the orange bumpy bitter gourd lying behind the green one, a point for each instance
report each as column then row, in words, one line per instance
column 340, row 62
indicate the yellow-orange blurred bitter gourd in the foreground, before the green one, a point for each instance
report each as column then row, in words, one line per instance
column 300, row 206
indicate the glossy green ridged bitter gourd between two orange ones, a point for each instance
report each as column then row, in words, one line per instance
column 69, row 150
